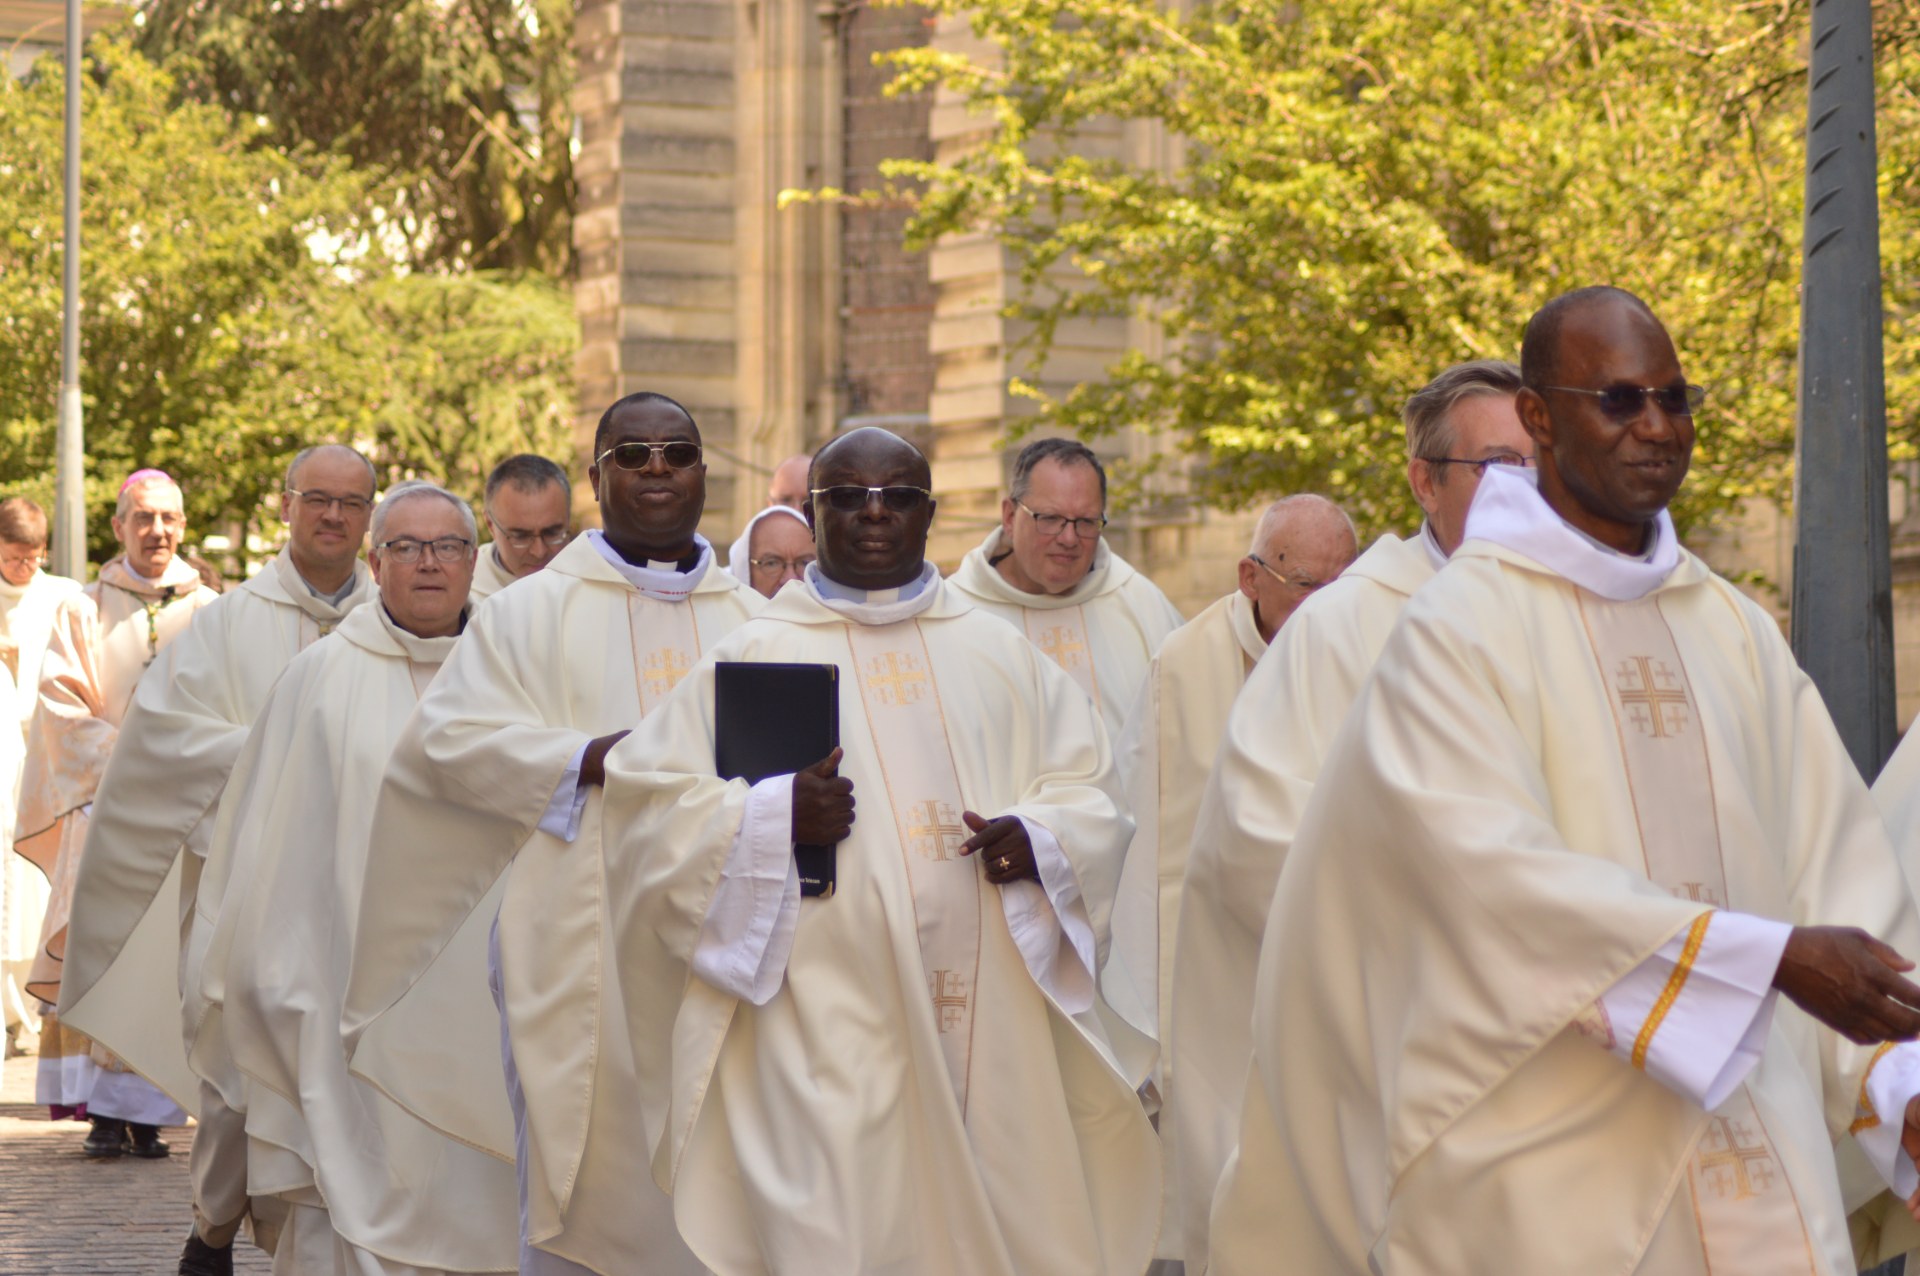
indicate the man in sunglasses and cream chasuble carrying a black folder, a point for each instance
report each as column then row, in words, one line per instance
column 909, row 1075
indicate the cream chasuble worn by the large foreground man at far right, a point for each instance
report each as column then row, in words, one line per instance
column 1535, row 793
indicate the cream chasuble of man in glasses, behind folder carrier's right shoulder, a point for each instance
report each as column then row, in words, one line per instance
column 1103, row 632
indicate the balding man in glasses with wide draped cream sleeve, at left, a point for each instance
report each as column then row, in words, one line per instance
column 130, row 951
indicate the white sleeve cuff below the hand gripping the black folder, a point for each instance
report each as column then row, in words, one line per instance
column 748, row 935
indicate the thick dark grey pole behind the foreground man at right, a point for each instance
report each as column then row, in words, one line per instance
column 1842, row 573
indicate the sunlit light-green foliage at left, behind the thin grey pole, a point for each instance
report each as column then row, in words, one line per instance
column 222, row 333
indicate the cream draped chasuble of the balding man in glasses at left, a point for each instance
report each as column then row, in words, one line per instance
column 126, row 964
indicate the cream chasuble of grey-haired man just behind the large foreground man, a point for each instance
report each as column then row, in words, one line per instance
column 1270, row 755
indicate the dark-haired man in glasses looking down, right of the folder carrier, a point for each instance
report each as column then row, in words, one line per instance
column 1049, row 571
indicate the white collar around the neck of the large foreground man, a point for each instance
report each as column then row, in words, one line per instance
column 1510, row 511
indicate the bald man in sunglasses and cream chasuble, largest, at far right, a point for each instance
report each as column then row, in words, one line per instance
column 1518, row 997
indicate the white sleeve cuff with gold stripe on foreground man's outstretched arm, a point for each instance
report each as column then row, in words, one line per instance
column 1694, row 1016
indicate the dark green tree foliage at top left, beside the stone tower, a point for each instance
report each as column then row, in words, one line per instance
column 458, row 110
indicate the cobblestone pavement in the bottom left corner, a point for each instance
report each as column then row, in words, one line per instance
column 64, row 1216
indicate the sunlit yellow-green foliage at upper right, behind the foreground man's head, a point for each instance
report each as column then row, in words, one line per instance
column 1366, row 193
